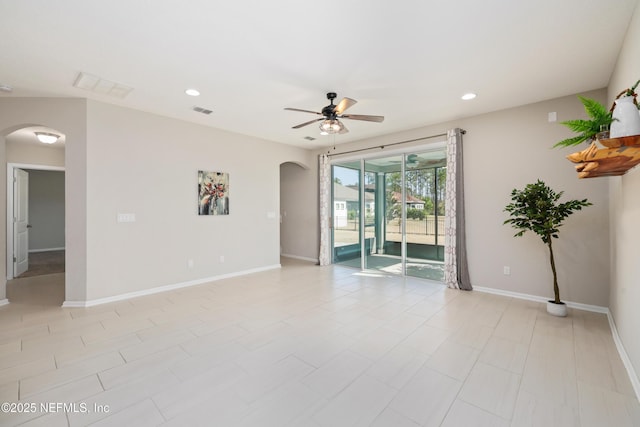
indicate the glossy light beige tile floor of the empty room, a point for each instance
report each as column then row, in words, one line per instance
column 308, row 346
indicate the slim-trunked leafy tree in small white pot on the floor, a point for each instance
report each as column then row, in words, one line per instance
column 536, row 208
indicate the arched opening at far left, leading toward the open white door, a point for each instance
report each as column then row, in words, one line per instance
column 35, row 237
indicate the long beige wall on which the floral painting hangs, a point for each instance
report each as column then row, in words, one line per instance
column 148, row 165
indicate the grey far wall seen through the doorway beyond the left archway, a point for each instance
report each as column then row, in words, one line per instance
column 46, row 209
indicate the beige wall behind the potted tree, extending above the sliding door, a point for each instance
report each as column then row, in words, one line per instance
column 508, row 149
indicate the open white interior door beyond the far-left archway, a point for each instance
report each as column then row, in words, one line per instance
column 20, row 222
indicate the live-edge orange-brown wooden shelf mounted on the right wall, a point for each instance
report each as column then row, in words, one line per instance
column 620, row 155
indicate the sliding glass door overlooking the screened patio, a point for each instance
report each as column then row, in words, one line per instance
column 388, row 214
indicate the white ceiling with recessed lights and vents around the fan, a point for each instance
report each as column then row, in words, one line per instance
column 407, row 60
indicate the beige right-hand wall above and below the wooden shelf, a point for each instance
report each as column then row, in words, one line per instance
column 625, row 211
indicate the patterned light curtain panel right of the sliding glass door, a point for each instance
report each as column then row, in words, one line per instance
column 456, row 271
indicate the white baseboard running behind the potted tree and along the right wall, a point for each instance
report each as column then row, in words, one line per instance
column 633, row 376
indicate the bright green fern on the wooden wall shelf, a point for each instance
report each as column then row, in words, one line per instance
column 588, row 130
